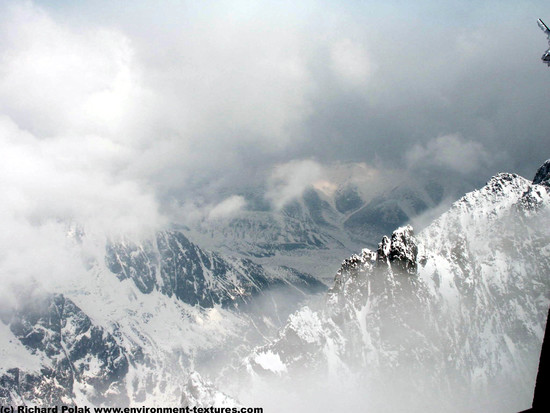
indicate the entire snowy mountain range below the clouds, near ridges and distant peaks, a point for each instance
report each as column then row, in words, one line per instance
column 451, row 318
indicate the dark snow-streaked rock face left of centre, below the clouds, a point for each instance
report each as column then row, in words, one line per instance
column 176, row 267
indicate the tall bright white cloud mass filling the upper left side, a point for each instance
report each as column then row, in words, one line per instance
column 69, row 111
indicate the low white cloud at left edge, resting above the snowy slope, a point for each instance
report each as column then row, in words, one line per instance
column 54, row 180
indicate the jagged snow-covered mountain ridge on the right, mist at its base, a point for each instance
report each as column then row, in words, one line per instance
column 451, row 319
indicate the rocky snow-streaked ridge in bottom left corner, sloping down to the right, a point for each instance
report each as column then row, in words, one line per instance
column 62, row 358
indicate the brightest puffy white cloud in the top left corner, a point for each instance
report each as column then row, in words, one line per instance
column 58, row 80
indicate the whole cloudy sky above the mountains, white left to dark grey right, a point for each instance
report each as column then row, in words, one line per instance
column 117, row 113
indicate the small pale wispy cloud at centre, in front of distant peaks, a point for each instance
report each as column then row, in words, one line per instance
column 289, row 180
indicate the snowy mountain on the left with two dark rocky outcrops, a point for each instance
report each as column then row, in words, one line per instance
column 136, row 325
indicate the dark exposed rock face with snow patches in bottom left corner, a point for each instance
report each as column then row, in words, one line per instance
column 79, row 357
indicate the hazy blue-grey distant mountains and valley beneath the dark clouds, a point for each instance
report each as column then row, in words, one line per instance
column 318, row 224
